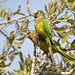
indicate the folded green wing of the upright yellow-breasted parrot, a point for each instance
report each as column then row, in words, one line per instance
column 48, row 30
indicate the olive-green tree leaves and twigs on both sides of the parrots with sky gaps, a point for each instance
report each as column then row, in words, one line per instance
column 61, row 17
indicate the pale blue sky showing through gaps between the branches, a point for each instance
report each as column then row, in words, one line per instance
column 27, row 46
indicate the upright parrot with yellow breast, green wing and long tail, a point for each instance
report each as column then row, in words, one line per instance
column 42, row 26
